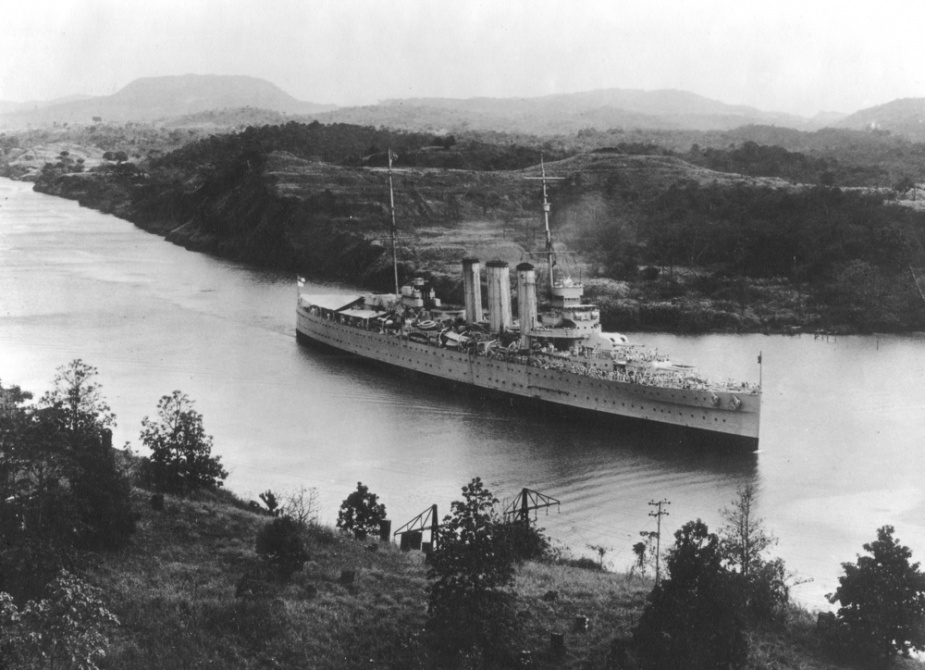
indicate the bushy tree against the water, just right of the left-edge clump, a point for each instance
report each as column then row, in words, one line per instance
column 181, row 458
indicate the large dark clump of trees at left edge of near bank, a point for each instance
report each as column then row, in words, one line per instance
column 60, row 486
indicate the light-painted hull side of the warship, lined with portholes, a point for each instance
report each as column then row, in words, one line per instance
column 701, row 410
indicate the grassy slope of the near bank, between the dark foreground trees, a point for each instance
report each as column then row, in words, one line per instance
column 174, row 587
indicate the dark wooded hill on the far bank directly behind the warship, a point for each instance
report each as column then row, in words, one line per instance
column 667, row 244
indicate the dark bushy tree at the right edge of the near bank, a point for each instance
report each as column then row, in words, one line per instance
column 882, row 599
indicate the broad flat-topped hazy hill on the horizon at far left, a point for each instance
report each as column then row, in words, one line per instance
column 158, row 98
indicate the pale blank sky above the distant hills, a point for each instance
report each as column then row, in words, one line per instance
column 798, row 56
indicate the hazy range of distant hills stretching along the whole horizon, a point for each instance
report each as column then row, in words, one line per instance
column 176, row 100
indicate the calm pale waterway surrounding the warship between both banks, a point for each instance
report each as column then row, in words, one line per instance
column 842, row 449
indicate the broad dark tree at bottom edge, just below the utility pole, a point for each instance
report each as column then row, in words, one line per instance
column 694, row 619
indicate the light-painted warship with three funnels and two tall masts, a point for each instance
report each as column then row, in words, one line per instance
column 557, row 355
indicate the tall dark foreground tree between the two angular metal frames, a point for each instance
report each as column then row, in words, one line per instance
column 471, row 568
